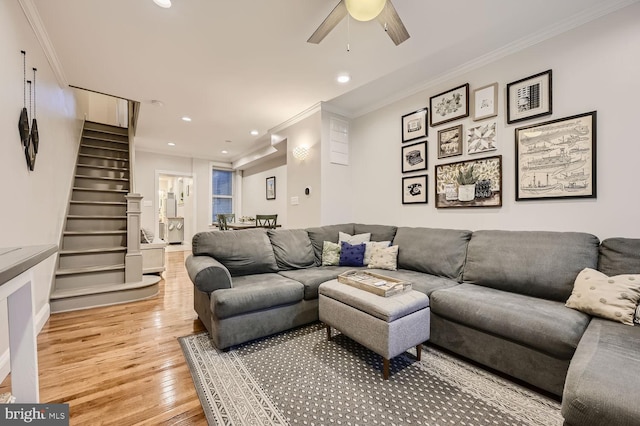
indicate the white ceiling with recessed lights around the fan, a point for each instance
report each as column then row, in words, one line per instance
column 238, row 65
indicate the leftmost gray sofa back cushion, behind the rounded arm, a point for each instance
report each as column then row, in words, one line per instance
column 241, row 252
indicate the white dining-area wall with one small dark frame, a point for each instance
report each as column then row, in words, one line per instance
column 254, row 199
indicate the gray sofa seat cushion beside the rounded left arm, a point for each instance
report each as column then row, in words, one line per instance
column 255, row 292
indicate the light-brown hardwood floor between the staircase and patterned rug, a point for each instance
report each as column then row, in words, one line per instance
column 123, row 364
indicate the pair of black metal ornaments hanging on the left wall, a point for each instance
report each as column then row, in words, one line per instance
column 29, row 136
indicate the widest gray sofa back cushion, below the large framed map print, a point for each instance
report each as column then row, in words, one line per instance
column 535, row 263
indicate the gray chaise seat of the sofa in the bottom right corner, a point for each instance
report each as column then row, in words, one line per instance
column 602, row 385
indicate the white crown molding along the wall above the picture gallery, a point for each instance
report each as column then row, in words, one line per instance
column 547, row 33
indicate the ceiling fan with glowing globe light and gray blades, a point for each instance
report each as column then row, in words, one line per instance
column 364, row 10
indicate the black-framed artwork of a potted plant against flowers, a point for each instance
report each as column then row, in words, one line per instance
column 471, row 183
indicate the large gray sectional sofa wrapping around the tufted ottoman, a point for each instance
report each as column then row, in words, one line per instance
column 497, row 297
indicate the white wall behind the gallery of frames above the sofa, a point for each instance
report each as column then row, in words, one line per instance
column 595, row 67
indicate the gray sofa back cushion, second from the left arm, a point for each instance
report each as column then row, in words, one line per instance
column 292, row 248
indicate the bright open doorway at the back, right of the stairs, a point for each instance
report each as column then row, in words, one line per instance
column 176, row 209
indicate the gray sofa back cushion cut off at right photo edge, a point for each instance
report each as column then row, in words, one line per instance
column 619, row 256
